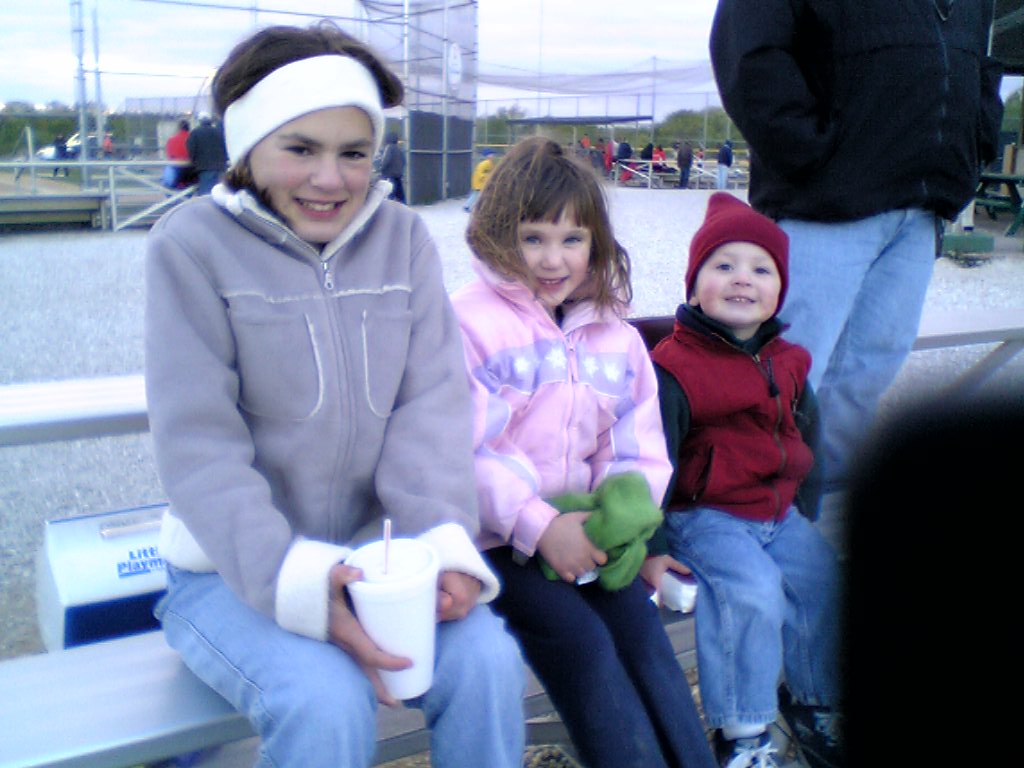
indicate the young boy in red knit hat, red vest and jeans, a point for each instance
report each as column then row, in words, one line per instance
column 735, row 402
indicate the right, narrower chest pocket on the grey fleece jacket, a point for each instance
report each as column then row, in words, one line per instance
column 386, row 353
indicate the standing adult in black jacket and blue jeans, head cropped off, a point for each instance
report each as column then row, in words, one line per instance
column 869, row 122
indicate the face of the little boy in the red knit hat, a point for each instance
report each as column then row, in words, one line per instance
column 739, row 286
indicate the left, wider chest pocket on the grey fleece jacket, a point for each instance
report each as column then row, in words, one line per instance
column 280, row 369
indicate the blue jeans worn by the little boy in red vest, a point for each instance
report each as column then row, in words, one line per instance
column 769, row 607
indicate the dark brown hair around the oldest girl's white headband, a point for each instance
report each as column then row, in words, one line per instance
column 272, row 49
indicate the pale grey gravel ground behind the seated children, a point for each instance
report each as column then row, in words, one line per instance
column 72, row 307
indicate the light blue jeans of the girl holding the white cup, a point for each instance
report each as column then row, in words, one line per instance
column 313, row 706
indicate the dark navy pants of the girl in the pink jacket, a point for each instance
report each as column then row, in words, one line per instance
column 608, row 665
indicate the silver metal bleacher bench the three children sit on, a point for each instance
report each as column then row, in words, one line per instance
column 131, row 702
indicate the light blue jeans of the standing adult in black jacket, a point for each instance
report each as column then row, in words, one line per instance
column 857, row 293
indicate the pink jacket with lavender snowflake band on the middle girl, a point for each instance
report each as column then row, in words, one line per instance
column 557, row 410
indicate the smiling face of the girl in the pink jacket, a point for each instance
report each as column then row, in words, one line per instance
column 558, row 255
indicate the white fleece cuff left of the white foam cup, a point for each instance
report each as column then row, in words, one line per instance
column 304, row 587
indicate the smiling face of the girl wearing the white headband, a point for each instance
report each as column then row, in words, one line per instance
column 315, row 170
